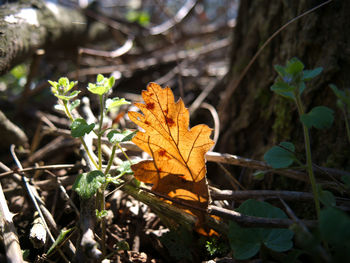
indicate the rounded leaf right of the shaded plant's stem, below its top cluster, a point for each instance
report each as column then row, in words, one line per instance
column 320, row 117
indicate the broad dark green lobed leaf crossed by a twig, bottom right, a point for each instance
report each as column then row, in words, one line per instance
column 246, row 242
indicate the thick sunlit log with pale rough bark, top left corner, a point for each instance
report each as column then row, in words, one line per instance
column 29, row 25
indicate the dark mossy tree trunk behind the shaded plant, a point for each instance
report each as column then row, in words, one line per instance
column 253, row 119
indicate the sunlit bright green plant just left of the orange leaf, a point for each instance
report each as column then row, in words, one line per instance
column 95, row 181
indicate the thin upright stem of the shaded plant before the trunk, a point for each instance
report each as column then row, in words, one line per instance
column 308, row 155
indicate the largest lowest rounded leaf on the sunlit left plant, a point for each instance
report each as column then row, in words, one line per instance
column 87, row 184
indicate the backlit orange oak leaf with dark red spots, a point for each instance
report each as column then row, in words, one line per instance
column 177, row 168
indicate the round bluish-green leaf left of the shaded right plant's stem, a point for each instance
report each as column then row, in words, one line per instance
column 280, row 156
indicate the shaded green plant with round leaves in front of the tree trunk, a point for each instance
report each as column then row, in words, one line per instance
column 291, row 85
